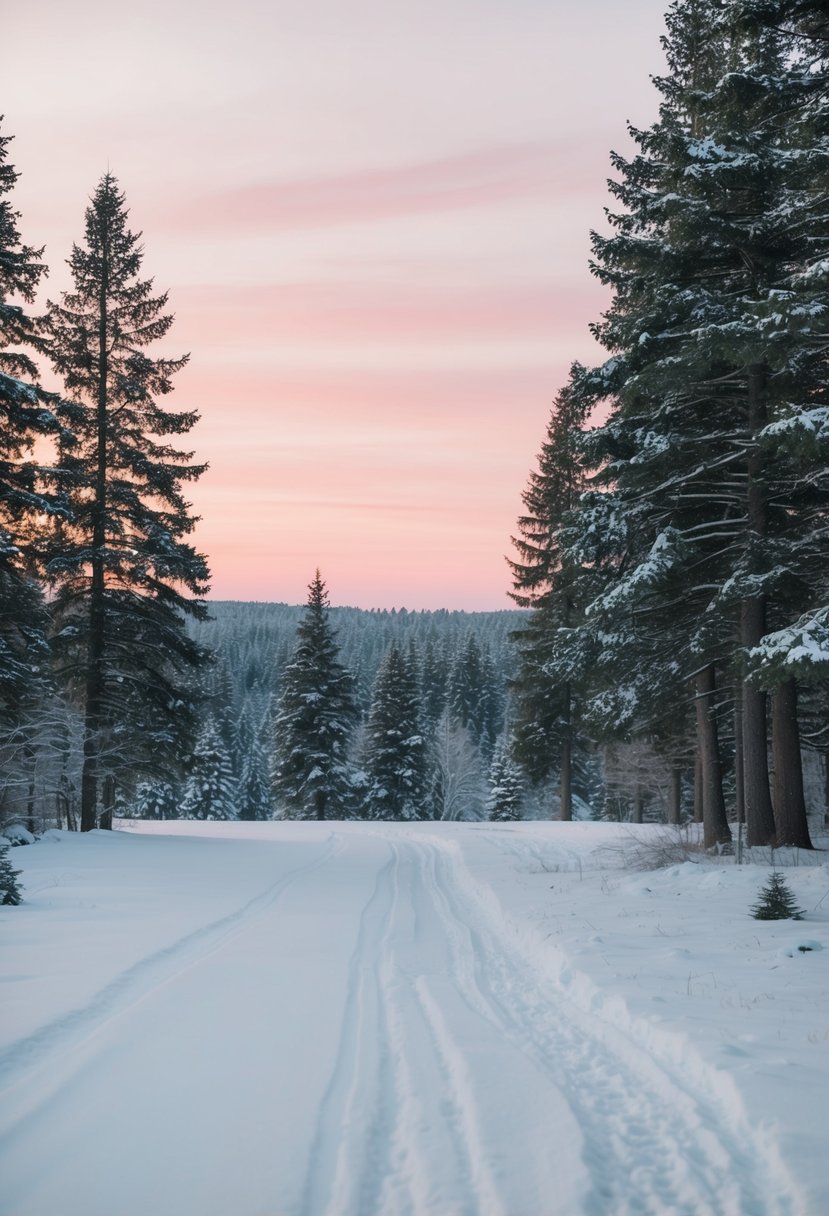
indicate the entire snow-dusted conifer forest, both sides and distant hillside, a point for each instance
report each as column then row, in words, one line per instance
column 668, row 654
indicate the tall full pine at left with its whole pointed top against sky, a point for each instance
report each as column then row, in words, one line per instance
column 125, row 572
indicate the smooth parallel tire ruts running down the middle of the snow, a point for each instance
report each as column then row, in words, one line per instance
column 397, row 1133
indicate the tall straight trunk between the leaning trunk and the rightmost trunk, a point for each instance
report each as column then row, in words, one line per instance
column 759, row 814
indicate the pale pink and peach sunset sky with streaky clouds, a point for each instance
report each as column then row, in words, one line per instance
column 373, row 218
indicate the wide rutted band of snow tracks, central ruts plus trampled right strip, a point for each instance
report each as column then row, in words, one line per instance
column 444, row 1020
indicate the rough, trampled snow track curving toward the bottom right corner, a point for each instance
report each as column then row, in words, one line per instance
column 656, row 1144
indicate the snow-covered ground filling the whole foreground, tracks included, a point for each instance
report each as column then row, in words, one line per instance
column 348, row 1020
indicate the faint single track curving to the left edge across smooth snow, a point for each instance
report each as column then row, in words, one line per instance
column 131, row 987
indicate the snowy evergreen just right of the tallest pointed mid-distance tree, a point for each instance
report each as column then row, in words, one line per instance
column 394, row 751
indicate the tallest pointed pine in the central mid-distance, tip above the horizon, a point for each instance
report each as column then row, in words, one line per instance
column 314, row 722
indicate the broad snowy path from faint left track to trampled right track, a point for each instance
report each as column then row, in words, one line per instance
column 359, row 1039
